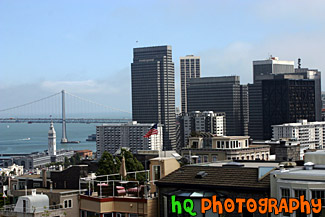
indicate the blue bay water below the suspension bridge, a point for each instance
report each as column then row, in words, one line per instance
column 14, row 137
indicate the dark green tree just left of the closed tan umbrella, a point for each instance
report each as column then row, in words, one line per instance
column 107, row 165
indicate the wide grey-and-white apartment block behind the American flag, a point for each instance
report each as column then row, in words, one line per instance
column 112, row 137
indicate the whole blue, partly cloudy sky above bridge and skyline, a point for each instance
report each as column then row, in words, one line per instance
column 85, row 47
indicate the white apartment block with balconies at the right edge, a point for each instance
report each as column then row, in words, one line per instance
column 310, row 135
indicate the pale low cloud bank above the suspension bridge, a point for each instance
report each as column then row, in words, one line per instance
column 112, row 91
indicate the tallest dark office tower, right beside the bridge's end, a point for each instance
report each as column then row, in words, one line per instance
column 153, row 90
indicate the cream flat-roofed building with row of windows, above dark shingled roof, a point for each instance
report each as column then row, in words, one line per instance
column 210, row 148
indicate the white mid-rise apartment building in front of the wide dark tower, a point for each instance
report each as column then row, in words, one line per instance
column 207, row 121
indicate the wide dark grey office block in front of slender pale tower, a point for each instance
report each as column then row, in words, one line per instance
column 221, row 94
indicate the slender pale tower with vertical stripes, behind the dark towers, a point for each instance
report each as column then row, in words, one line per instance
column 189, row 68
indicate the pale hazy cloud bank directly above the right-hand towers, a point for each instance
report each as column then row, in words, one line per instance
column 236, row 58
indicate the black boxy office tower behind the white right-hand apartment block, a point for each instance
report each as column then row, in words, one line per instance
column 287, row 101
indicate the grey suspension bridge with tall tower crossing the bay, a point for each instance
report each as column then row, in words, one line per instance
column 54, row 108
